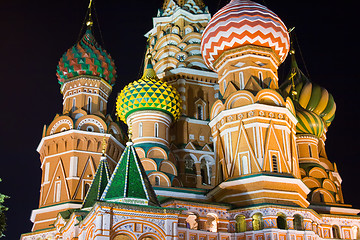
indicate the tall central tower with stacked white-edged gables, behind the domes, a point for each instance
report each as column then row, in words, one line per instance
column 174, row 43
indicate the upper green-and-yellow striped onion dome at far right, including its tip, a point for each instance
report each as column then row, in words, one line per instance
column 310, row 95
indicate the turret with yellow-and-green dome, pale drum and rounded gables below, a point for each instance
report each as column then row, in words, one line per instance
column 149, row 106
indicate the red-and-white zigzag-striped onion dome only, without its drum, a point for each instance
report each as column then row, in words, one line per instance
column 243, row 22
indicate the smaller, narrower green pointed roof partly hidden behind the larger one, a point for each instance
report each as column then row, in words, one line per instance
column 98, row 184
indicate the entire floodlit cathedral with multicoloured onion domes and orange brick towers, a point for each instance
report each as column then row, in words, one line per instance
column 218, row 147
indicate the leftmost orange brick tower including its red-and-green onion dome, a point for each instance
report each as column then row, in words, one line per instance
column 71, row 147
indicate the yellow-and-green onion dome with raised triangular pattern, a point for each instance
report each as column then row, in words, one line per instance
column 148, row 93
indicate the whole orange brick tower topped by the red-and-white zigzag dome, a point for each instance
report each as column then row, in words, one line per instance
column 253, row 126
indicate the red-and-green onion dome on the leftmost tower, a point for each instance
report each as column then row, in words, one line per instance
column 86, row 58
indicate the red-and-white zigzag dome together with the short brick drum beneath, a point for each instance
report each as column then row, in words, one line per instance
column 245, row 43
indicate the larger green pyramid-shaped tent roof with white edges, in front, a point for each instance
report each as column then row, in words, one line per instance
column 129, row 182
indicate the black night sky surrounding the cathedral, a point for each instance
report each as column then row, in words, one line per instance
column 34, row 35
